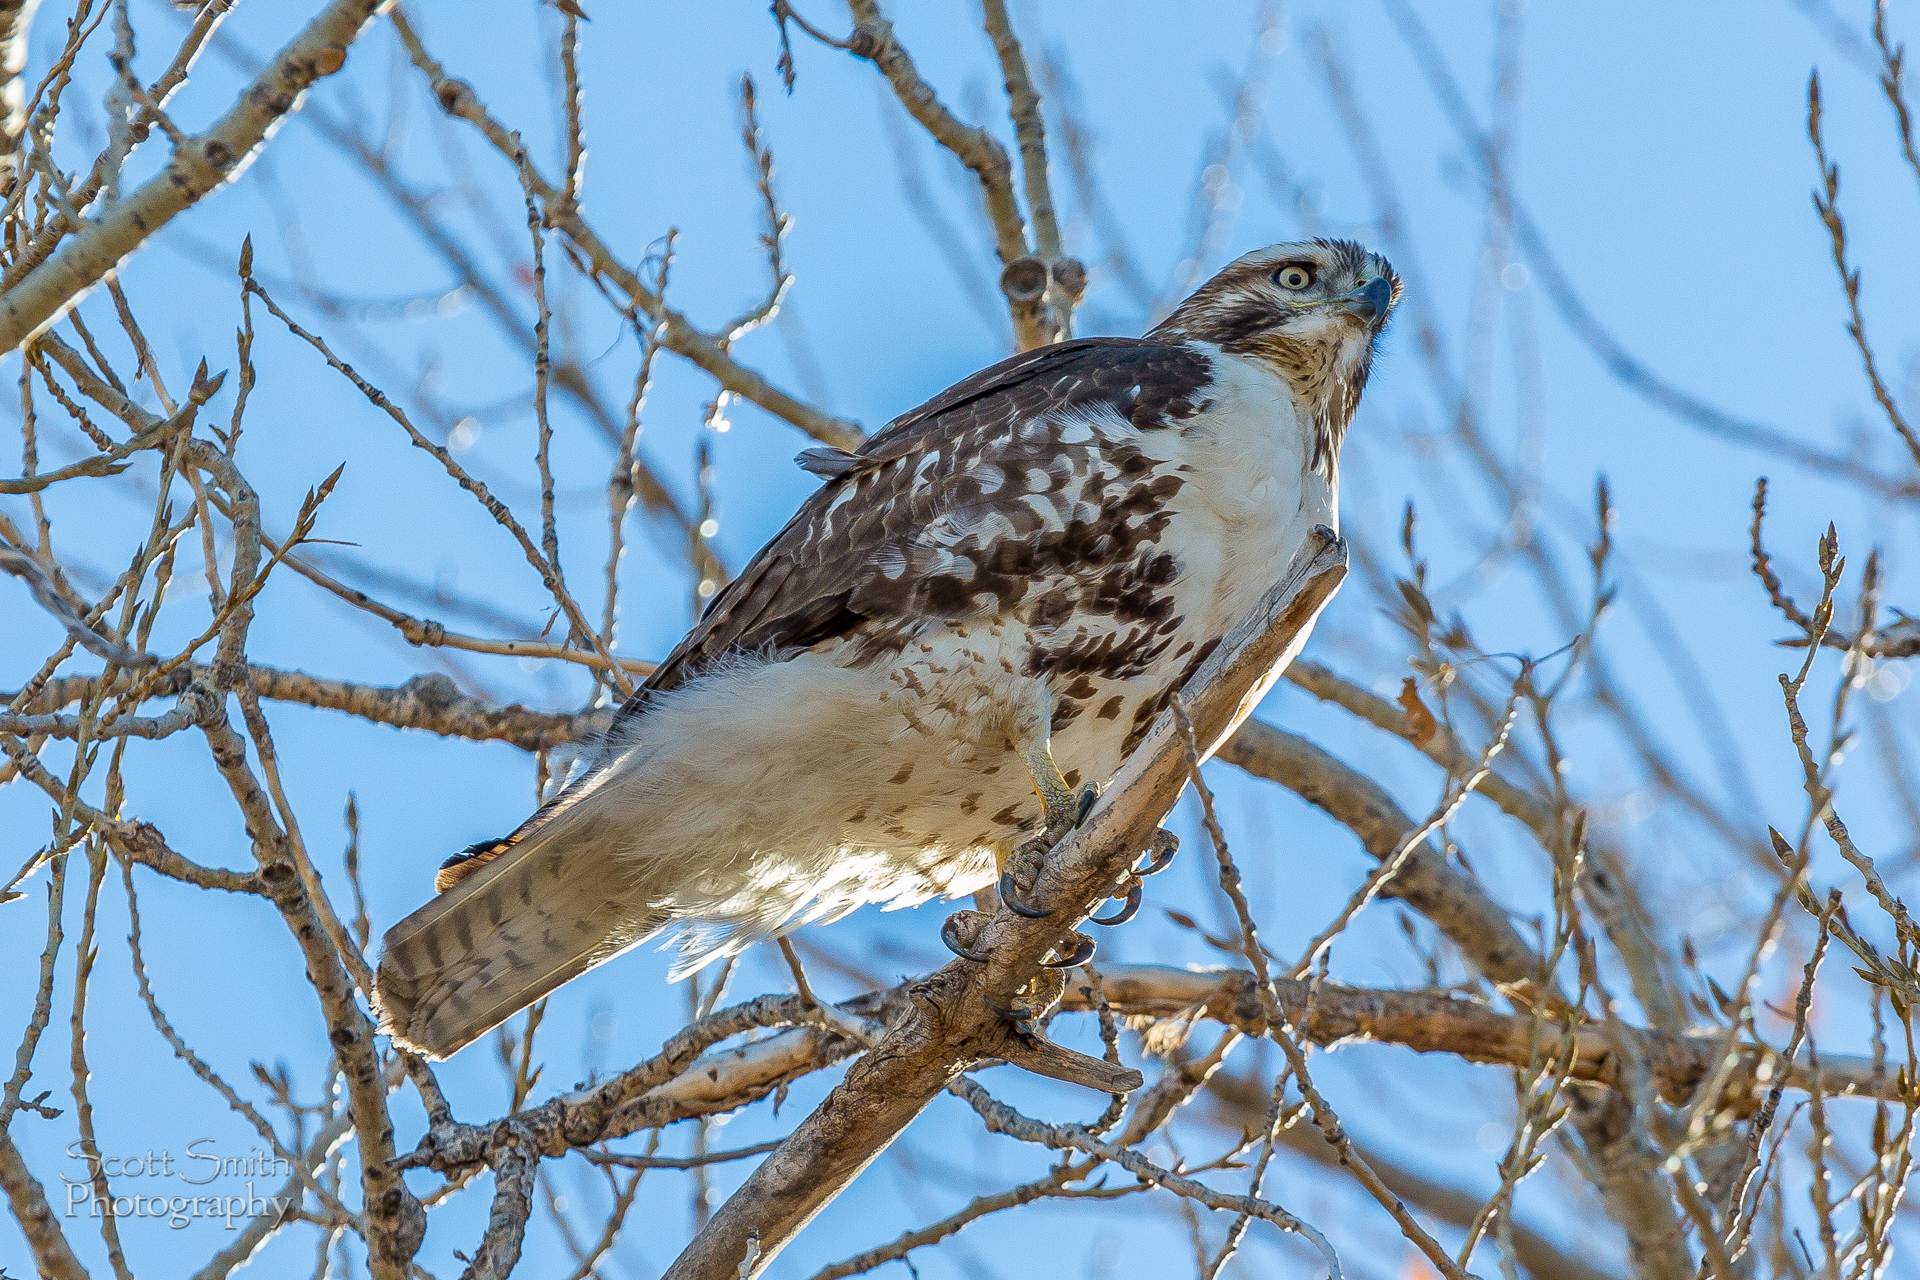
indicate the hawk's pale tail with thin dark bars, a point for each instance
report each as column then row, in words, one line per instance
column 525, row 918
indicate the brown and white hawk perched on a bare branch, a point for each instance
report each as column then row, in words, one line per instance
column 951, row 644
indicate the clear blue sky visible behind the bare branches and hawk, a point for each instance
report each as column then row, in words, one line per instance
column 1660, row 151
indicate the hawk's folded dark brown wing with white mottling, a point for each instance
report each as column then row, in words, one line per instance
column 871, row 554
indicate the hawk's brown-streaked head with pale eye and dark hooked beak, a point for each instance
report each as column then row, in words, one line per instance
column 1310, row 310
